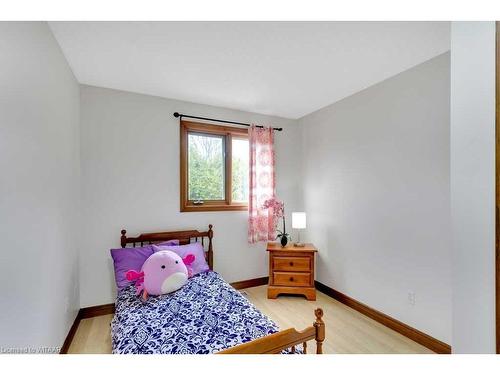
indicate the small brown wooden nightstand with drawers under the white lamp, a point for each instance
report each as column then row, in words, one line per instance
column 291, row 270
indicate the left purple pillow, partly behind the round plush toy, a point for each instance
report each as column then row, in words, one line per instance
column 129, row 258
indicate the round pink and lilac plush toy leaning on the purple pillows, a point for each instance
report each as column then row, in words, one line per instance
column 163, row 272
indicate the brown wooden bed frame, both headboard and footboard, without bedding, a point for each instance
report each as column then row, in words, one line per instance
column 271, row 344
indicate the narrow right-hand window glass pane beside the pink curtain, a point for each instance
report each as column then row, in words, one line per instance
column 240, row 170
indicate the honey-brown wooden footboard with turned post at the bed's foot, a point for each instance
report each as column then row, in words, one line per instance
column 287, row 339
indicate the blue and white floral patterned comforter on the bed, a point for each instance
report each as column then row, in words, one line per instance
column 205, row 316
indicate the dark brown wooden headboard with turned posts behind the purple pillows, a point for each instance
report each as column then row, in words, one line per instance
column 184, row 237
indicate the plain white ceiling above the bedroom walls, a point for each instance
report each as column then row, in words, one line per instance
column 286, row 69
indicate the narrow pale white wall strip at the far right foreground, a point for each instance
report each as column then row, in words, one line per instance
column 473, row 185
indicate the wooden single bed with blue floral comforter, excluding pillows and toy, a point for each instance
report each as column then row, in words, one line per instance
column 207, row 315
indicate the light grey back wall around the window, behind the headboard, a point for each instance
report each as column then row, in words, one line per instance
column 130, row 179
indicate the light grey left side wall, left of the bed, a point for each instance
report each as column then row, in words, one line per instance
column 39, row 188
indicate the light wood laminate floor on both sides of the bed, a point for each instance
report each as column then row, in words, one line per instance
column 347, row 331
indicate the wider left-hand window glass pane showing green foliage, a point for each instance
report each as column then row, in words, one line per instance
column 205, row 167
